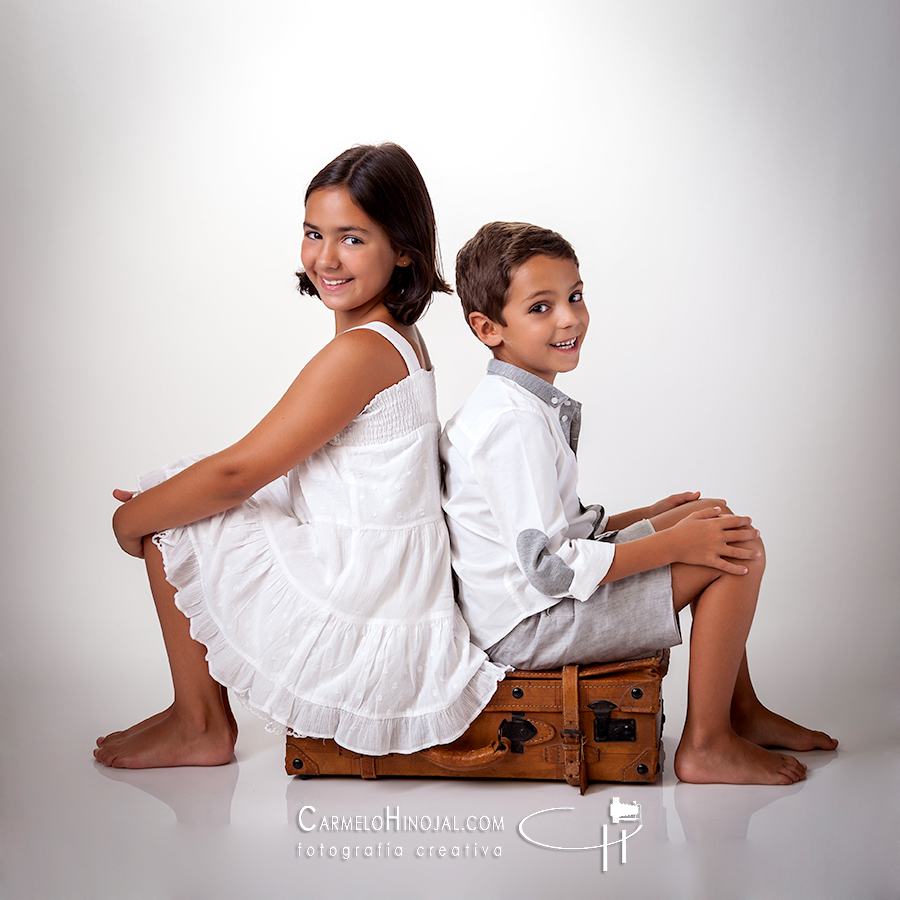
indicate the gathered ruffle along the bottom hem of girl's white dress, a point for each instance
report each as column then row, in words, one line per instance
column 286, row 713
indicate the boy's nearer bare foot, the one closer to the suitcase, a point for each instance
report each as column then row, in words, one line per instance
column 729, row 759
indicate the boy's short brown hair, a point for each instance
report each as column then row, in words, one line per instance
column 485, row 264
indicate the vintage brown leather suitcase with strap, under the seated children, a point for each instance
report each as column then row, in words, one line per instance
column 581, row 724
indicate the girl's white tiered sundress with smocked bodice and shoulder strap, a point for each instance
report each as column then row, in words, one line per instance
column 325, row 600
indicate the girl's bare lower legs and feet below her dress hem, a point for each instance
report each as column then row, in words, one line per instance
column 197, row 729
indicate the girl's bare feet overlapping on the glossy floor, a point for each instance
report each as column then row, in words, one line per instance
column 171, row 740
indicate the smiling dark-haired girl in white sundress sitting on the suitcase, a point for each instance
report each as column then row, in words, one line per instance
column 322, row 597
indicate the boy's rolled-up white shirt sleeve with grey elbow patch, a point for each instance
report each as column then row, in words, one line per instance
column 517, row 463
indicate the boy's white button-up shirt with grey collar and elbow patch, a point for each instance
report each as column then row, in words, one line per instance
column 520, row 538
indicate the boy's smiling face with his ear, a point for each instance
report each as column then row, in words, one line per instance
column 546, row 318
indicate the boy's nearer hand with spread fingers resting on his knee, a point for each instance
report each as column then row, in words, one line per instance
column 707, row 538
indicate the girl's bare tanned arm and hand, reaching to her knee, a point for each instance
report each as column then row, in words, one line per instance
column 331, row 390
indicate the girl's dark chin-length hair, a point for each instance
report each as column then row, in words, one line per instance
column 387, row 186
